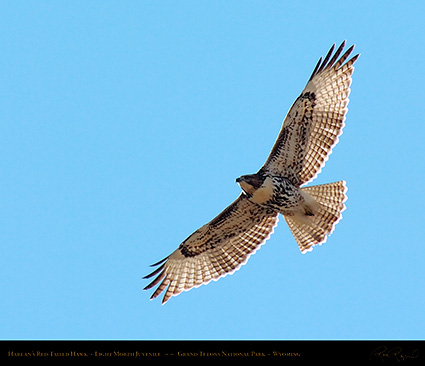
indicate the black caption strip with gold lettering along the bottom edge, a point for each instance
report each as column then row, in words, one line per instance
column 274, row 351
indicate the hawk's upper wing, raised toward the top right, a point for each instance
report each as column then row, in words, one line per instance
column 315, row 120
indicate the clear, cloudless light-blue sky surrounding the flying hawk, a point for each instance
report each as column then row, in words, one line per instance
column 123, row 128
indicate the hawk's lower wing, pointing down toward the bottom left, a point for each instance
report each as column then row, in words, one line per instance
column 216, row 249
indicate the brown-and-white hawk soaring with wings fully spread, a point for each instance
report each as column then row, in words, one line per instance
column 309, row 132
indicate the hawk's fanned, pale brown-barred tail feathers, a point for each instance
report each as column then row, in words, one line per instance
column 313, row 229
